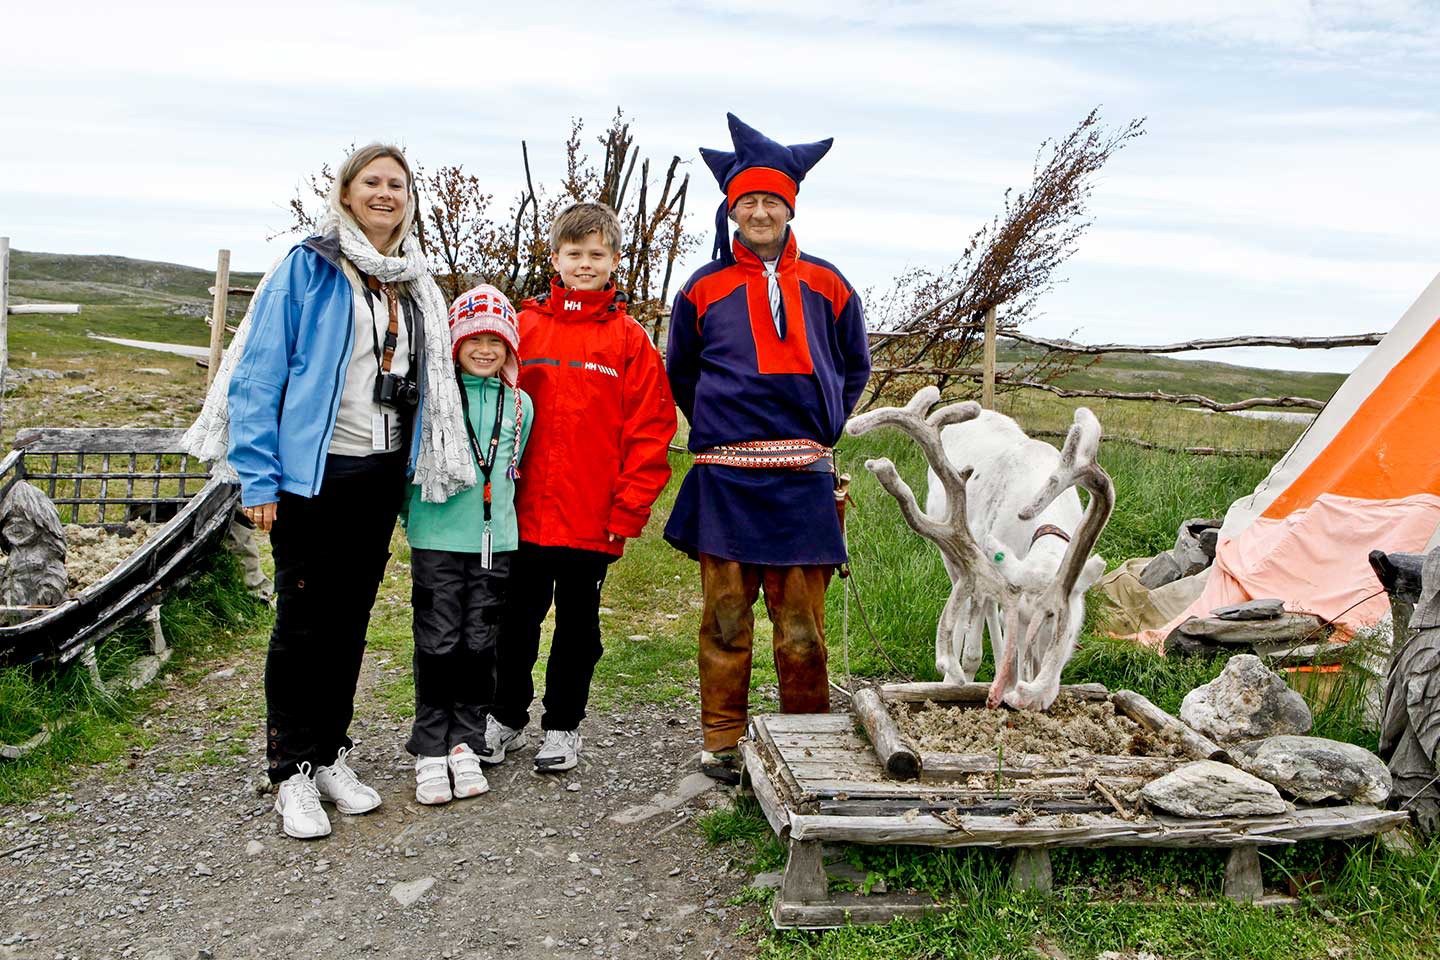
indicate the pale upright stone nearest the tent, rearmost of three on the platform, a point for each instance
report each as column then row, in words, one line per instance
column 1248, row 702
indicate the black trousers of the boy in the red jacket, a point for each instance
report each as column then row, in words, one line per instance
column 572, row 581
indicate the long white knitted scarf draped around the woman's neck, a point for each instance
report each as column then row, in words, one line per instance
column 444, row 466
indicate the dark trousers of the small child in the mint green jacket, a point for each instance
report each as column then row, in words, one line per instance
column 459, row 607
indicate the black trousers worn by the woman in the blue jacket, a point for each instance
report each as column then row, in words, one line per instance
column 330, row 553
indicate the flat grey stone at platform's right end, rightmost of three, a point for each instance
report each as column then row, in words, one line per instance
column 1315, row 769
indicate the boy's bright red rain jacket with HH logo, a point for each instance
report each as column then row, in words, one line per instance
column 597, row 457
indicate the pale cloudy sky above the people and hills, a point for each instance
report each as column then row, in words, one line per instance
column 1285, row 184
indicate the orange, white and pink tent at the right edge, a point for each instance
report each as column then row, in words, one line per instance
column 1364, row 477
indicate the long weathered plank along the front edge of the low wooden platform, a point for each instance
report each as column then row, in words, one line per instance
column 1307, row 824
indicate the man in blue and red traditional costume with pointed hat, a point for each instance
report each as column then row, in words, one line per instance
column 767, row 361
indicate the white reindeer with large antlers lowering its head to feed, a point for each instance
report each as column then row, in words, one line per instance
column 1036, row 612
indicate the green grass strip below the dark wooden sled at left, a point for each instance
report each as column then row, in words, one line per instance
column 211, row 618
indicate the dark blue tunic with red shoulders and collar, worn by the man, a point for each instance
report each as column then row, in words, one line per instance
column 737, row 379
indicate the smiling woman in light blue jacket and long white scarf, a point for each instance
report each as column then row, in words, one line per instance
column 333, row 394
